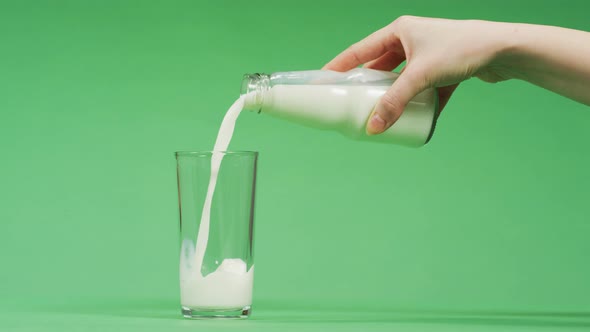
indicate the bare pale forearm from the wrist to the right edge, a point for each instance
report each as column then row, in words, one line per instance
column 554, row 58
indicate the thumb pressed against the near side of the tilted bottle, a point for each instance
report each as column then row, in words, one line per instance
column 392, row 104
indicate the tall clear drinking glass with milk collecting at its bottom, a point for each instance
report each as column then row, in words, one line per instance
column 216, row 233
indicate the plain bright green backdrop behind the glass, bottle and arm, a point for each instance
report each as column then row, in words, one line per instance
column 490, row 218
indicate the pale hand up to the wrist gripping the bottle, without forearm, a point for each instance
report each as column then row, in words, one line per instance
column 439, row 53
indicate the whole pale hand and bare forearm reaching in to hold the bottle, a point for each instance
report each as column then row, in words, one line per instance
column 442, row 53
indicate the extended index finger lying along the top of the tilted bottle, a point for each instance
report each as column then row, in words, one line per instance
column 372, row 47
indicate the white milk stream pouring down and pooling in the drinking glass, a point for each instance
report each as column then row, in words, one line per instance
column 230, row 286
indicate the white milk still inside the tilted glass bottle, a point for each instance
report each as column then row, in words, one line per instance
column 346, row 109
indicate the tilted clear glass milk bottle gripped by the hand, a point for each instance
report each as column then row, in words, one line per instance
column 341, row 102
